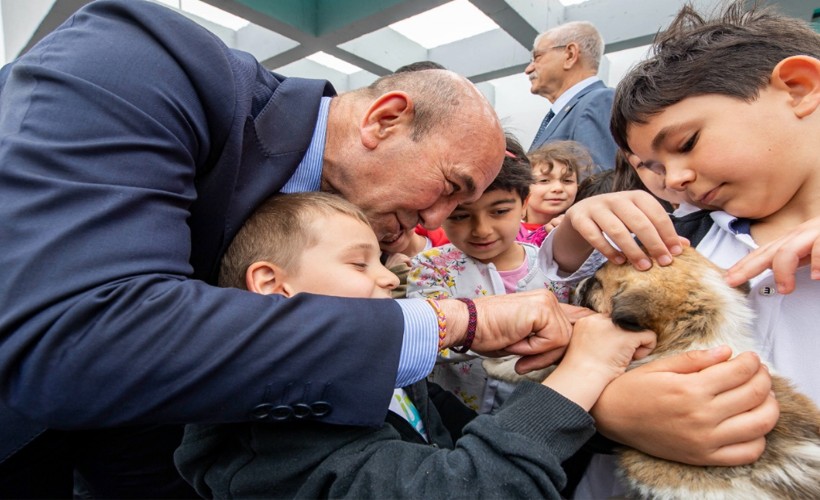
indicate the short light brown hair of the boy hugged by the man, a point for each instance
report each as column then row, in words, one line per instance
column 278, row 231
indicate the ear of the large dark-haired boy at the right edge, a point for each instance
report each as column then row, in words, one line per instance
column 800, row 76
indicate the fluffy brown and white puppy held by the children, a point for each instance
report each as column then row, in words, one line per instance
column 689, row 306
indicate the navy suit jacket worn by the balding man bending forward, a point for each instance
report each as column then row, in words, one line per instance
column 133, row 145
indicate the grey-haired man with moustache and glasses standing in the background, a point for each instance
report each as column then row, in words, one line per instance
column 563, row 70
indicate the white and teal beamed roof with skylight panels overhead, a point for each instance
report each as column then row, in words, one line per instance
column 352, row 42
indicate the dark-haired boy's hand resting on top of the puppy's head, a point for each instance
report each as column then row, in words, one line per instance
column 618, row 215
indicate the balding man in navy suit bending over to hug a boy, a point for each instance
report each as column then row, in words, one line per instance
column 133, row 145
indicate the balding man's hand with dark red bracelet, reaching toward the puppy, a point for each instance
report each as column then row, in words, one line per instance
column 531, row 324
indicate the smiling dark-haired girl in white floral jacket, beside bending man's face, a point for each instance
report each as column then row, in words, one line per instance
column 484, row 257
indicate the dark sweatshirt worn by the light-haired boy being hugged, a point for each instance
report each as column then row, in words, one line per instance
column 515, row 453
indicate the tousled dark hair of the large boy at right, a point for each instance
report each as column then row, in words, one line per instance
column 732, row 55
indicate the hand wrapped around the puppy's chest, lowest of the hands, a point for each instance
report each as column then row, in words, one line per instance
column 696, row 408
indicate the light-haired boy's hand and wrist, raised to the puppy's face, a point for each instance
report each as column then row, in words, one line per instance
column 598, row 353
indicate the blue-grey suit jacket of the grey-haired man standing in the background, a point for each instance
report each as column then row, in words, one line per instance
column 585, row 119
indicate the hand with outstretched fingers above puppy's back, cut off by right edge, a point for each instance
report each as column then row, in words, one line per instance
column 783, row 256
